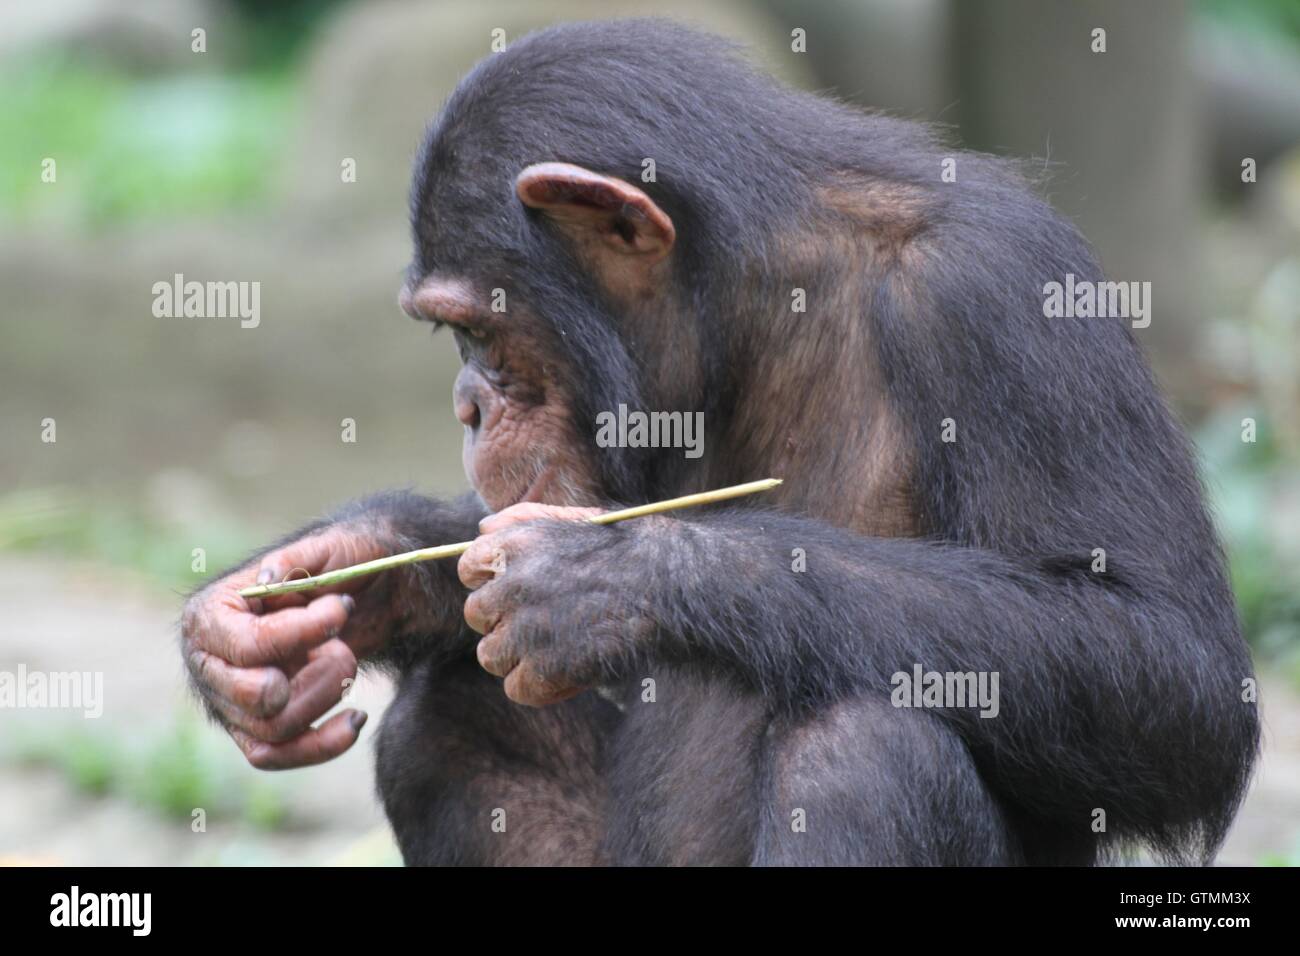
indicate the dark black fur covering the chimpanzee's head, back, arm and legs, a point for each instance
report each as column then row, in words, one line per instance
column 1120, row 691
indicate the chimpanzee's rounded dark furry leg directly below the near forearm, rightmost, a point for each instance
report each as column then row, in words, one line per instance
column 866, row 784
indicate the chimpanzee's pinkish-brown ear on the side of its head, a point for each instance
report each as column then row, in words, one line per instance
column 618, row 213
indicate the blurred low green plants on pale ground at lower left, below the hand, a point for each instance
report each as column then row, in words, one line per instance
column 172, row 773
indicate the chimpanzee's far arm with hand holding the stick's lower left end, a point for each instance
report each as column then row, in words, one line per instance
column 268, row 671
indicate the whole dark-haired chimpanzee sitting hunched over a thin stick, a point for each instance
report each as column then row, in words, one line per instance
column 626, row 214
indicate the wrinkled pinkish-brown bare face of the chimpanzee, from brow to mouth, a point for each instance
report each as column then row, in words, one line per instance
column 522, row 443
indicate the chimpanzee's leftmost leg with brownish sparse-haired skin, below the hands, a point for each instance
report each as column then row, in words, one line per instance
column 469, row 777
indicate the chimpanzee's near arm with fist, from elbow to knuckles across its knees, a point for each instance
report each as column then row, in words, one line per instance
column 1115, row 693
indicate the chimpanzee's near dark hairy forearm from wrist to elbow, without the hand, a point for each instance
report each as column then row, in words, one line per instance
column 1086, row 665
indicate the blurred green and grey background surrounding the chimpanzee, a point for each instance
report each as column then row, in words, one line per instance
column 176, row 435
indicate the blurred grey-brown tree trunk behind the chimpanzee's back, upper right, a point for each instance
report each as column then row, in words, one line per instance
column 1120, row 128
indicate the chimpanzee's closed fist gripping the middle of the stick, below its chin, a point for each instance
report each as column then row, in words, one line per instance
column 557, row 600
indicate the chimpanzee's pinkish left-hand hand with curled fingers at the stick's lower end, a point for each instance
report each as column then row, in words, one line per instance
column 268, row 668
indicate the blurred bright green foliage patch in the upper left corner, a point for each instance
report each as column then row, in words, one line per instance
column 137, row 148
